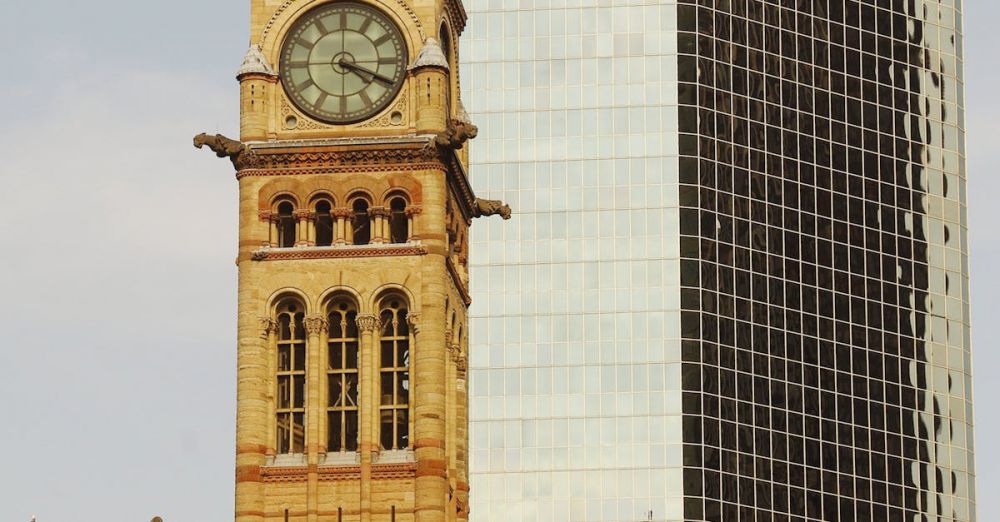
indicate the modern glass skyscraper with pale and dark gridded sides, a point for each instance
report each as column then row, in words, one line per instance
column 736, row 286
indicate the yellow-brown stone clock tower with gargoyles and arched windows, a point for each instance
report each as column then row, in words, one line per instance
column 355, row 208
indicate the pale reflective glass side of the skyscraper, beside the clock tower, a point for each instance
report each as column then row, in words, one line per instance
column 575, row 356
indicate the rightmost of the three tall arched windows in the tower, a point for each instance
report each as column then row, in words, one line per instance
column 395, row 378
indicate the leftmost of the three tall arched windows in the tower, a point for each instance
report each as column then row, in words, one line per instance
column 290, row 404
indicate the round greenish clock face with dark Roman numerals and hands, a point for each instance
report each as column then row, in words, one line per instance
column 343, row 62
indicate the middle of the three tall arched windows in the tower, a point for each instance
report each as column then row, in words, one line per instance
column 342, row 376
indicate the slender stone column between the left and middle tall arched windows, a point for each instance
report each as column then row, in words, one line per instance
column 315, row 324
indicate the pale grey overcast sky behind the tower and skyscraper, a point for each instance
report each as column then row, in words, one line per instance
column 118, row 239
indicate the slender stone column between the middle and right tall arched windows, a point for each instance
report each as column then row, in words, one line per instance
column 369, row 410
